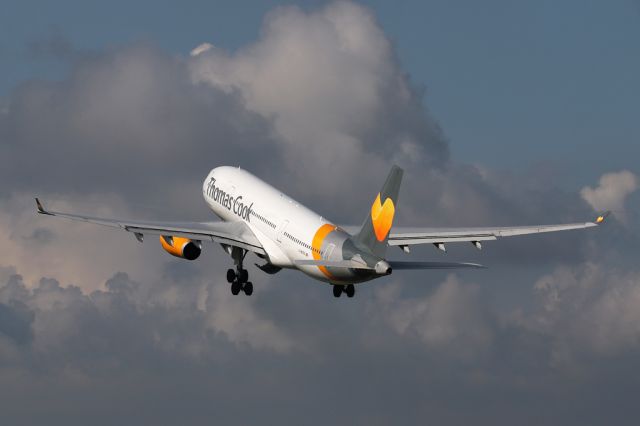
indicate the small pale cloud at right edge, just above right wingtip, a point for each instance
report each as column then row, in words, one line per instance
column 611, row 192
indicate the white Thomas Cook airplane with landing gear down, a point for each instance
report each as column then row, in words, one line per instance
column 258, row 218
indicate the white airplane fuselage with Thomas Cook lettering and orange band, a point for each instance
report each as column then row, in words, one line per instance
column 287, row 230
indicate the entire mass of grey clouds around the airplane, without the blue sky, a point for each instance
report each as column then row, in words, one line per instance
column 321, row 107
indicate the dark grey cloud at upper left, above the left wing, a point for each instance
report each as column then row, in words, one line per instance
column 130, row 119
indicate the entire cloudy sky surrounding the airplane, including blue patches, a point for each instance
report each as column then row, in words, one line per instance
column 501, row 113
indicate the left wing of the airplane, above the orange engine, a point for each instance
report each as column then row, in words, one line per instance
column 231, row 233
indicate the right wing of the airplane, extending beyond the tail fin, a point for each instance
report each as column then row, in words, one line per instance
column 440, row 236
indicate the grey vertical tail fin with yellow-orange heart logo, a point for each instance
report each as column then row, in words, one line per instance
column 375, row 230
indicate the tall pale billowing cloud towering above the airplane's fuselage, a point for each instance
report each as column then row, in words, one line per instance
column 341, row 104
